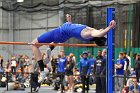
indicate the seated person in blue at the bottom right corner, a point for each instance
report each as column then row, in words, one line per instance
column 135, row 88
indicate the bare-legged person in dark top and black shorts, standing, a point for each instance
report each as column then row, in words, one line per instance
column 69, row 72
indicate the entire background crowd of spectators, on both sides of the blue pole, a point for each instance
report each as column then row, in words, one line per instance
column 88, row 70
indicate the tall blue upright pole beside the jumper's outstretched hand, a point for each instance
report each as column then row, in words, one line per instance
column 110, row 52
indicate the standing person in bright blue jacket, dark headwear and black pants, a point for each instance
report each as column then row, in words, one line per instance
column 85, row 70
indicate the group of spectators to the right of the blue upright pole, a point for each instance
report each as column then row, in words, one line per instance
column 127, row 78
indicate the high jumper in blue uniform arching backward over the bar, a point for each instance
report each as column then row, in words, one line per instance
column 65, row 32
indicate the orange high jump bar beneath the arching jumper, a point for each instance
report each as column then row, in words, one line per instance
column 49, row 44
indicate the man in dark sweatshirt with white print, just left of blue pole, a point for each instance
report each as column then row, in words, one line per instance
column 99, row 70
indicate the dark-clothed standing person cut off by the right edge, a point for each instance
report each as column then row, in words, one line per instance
column 137, row 66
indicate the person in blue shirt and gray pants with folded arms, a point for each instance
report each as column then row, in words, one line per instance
column 119, row 66
